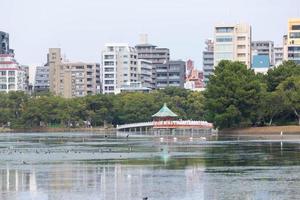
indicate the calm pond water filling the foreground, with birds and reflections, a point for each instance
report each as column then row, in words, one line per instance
column 46, row 166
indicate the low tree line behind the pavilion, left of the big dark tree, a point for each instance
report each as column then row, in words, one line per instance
column 19, row 110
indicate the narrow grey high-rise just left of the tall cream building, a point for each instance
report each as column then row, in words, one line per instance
column 208, row 60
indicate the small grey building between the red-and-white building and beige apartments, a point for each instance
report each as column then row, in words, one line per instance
column 41, row 82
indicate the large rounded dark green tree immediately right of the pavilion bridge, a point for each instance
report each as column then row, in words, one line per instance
column 232, row 94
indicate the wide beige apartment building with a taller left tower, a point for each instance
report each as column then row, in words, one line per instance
column 72, row 79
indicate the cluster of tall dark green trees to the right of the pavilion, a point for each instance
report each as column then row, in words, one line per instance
column 237, row 97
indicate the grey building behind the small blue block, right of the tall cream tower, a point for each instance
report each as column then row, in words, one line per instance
column 264, row 48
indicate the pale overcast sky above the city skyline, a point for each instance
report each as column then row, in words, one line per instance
column 82, row 27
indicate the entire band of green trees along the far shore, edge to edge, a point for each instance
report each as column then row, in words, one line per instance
column 234, row 97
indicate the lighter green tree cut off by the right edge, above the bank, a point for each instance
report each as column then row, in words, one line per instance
column 290, row 91
